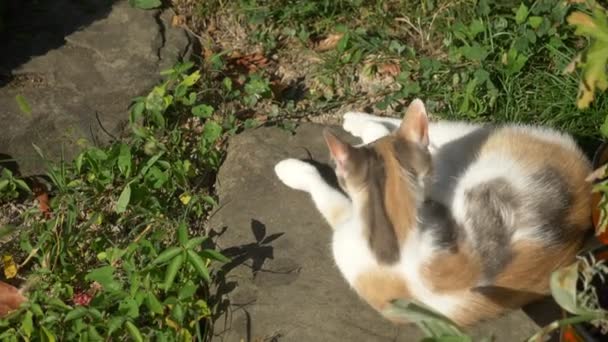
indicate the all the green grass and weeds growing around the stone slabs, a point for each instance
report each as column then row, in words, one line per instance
column 120, row 250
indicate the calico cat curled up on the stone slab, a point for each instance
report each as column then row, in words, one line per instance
column 469, row 220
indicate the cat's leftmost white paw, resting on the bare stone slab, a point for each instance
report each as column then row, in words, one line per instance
column 297, row 174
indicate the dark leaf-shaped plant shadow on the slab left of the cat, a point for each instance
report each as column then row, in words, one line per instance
column 252, row 255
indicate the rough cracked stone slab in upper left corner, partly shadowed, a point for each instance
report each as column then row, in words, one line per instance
column 86, row 80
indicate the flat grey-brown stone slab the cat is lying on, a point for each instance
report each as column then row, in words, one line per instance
column 287, row 287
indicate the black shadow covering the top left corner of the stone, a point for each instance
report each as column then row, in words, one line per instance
column 33, row 28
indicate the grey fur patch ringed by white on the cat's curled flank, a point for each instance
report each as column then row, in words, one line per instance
column 491, row 206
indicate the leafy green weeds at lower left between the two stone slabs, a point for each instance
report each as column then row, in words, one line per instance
column 121, row 252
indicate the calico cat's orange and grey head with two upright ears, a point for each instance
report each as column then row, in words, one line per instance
column 401, row 157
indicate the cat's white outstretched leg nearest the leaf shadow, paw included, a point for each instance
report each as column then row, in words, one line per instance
column 331, row 203
